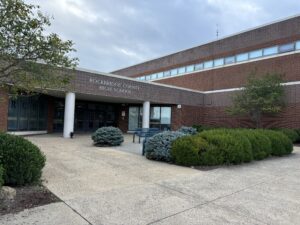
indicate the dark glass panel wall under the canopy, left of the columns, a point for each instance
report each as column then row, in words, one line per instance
column 27, row 113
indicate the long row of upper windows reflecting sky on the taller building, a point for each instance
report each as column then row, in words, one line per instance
column 260, row 53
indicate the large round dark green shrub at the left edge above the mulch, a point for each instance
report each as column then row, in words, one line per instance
column 22, row 161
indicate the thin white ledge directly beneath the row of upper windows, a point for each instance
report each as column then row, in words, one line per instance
column 229, row 65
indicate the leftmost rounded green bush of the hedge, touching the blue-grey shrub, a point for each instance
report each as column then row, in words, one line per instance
column 187, row 150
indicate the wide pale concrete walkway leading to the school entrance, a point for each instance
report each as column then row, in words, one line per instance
column 108, row 186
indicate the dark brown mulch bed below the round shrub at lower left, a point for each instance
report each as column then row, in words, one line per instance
column 28, row 197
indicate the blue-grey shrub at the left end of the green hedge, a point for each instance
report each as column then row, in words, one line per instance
column 158, row 147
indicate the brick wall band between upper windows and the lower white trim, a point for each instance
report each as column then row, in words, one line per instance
column 236, row 76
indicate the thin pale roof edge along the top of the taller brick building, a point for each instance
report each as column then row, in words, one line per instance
column 214, row 40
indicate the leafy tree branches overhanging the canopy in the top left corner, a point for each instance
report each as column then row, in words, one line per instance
column 30, row 58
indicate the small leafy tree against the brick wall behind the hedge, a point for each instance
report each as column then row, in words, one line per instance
column 261, row 95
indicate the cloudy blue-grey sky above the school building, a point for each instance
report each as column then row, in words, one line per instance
column 112, row 34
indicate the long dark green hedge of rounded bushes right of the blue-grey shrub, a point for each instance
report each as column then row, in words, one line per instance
column 229, row 146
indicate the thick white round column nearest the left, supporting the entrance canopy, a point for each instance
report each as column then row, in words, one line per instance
column 69, row 114
